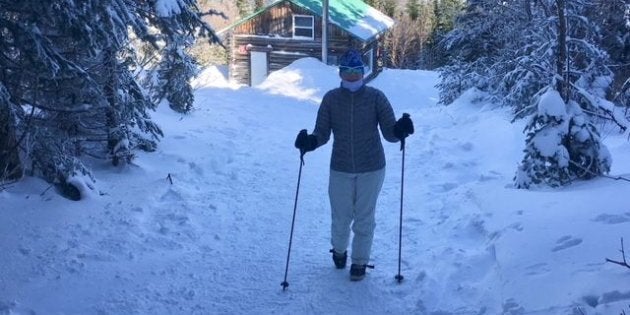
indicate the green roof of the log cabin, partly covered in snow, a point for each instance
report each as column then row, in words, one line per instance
column 354, row 16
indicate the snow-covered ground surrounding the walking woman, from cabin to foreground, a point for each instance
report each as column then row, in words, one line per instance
column 202, row 225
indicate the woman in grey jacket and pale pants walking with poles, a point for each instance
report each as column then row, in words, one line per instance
column 354, row 112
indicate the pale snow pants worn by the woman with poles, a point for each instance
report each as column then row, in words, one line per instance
column 353, row 202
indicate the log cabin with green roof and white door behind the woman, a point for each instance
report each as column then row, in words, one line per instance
column 287, row 30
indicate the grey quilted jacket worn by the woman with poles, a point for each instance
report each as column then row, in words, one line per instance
column 354, row 118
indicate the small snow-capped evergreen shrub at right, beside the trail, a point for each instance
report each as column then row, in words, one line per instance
column 561, row 145
